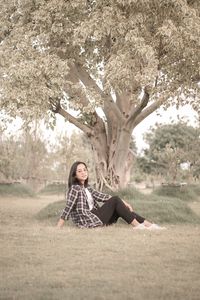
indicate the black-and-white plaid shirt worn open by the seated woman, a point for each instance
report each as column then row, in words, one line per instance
column 77, row 206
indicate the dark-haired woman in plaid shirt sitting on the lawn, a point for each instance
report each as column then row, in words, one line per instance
column 82, row 204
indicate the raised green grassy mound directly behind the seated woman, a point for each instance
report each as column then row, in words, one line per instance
column 158, row 209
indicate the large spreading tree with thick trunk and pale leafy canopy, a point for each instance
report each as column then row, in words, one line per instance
column 127, row 57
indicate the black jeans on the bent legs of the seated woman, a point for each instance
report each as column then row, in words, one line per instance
column 113, row 209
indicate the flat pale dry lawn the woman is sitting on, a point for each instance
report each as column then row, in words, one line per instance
column 39, row 261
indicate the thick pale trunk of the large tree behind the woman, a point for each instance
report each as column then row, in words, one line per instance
column 112, row 162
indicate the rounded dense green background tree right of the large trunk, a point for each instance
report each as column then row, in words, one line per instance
column 171, row 145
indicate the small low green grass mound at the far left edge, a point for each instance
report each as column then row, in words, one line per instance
column 16, row 190
